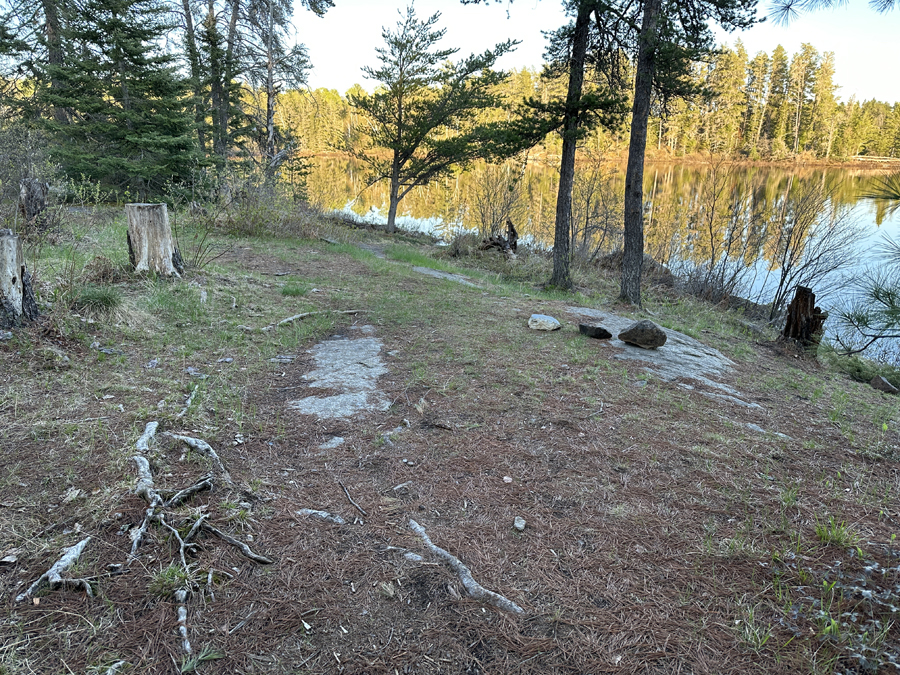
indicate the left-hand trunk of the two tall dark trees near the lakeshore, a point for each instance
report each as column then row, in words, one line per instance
column 563, row 236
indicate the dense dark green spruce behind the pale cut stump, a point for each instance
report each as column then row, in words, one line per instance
column 125, row 118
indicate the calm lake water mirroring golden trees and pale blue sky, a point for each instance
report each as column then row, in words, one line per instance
column 739, row 215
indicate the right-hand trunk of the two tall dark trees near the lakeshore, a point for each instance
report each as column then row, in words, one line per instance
column 633, row 256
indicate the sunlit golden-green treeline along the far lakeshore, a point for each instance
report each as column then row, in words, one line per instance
column 771, row 107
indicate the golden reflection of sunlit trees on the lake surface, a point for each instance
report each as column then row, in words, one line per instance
column 449, row 204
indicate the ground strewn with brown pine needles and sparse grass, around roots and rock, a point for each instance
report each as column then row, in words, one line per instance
column 663, row 534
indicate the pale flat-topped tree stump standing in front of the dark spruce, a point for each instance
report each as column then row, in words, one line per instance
column 150, row 244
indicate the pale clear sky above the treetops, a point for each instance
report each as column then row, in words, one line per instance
column 864, row 42
